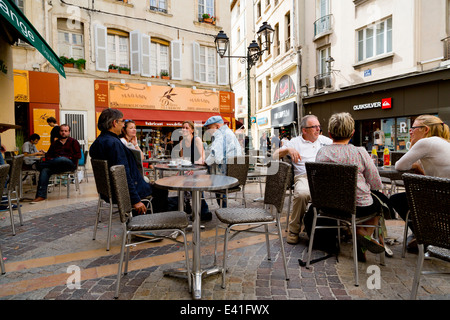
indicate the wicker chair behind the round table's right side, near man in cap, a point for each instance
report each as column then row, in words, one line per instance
column 237, row 167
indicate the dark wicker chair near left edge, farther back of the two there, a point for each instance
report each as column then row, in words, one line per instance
column 13, row 188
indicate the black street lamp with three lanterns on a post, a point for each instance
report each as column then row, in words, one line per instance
column 254, row 52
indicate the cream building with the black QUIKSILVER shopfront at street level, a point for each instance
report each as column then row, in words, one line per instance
column 385, row 62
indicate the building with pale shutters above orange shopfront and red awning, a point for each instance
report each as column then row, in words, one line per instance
column 153, row 59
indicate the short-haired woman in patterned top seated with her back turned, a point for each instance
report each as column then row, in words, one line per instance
column 341, row 128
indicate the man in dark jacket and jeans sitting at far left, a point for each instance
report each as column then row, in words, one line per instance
column 62, row 156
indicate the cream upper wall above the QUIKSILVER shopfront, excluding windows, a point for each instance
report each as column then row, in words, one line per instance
column 417, row 30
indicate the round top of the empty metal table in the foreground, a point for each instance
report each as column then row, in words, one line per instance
column 201, row 182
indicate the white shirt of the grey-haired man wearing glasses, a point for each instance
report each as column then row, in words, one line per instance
column 307, row 149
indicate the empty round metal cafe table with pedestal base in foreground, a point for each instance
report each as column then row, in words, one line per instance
column 196, row 184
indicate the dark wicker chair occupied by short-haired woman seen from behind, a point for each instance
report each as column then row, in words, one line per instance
column 333, row 196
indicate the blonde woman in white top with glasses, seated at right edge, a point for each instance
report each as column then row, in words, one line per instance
column 429, row 154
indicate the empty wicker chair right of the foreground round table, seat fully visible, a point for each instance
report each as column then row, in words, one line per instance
column 257, row 217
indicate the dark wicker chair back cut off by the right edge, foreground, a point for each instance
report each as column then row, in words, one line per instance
column 429, row 206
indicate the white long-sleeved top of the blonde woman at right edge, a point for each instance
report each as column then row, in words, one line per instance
column 434, row 155
